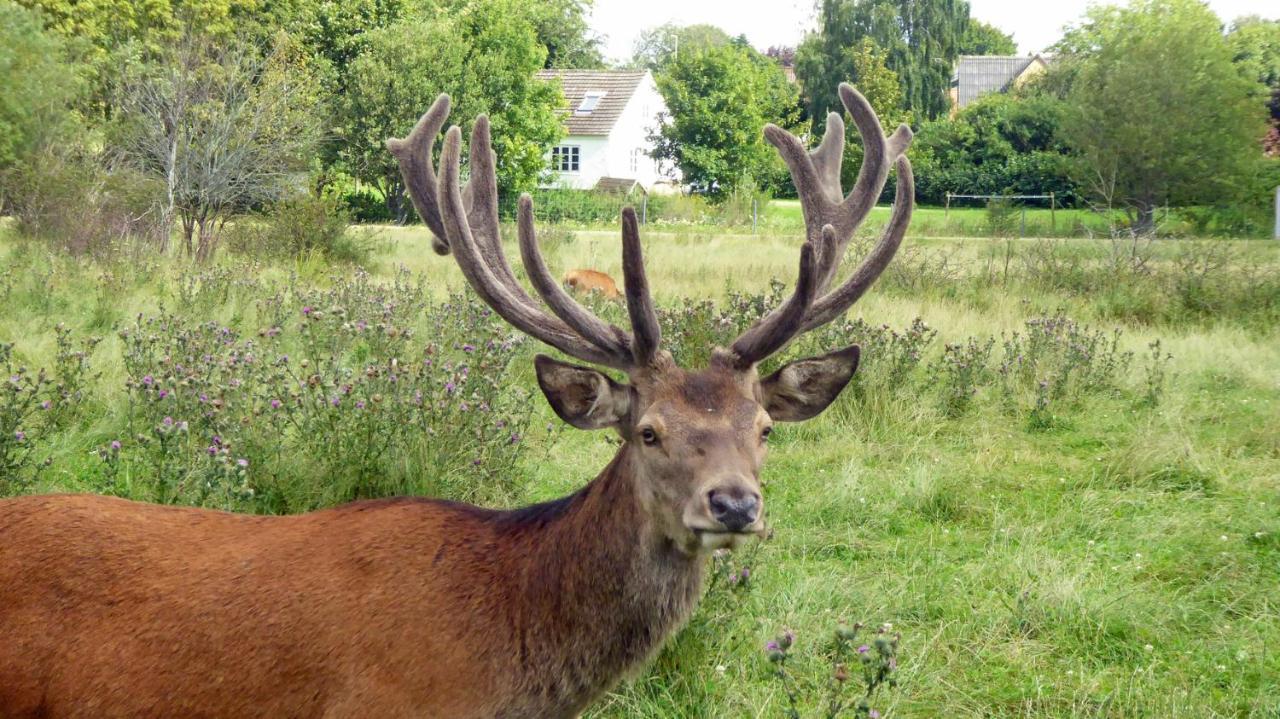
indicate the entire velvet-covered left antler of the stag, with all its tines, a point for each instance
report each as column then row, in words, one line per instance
column 465, row 222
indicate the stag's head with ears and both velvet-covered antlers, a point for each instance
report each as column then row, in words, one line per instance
column 696, row 438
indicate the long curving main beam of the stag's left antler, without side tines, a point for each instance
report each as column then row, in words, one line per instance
column 520, row 313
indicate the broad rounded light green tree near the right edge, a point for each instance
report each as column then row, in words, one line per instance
column 1160, row 115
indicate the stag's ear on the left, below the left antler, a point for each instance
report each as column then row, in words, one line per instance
column 582, row 396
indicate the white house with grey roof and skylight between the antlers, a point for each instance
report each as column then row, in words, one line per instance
column 610, row 117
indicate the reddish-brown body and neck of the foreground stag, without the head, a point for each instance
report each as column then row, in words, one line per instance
column 385, row 608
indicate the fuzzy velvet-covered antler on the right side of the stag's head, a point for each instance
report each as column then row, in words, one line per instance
column 831, row 219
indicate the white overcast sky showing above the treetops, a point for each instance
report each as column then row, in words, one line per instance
column 1035, row 25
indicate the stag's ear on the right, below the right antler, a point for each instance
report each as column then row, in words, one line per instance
column 804, row 388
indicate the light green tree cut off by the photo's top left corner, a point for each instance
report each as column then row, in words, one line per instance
column 39, row 85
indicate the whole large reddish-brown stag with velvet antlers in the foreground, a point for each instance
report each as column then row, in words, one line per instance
column 428, row 608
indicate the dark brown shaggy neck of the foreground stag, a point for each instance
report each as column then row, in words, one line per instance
column 606, row 589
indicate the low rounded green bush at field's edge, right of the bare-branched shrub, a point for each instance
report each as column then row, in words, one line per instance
column 300, row 226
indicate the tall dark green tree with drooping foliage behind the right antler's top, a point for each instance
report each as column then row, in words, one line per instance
column 921, row 40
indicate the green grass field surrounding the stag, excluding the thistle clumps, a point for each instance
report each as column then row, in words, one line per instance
column 1112, row 549
